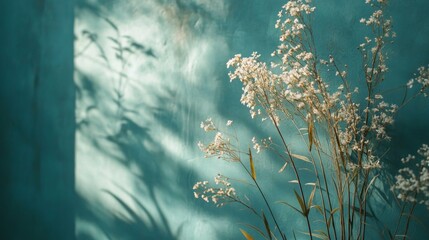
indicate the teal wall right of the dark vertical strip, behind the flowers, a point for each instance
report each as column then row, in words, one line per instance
column 148, row 72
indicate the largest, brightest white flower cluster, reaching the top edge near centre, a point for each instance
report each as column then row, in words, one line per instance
column 262, row 88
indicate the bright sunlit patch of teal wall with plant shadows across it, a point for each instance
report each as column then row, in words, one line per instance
column 146, row 77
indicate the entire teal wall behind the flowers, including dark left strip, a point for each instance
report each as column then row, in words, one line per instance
column 101, row 103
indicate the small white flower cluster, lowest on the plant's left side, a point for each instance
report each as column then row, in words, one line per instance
column 218, row 195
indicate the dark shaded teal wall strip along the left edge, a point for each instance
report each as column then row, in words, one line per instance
column 37, row 120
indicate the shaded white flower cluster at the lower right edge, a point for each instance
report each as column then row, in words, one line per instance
column 412, row 181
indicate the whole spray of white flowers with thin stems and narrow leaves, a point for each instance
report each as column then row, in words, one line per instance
column 295, row 87
